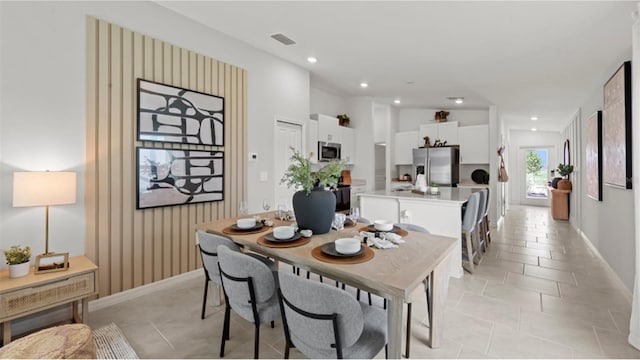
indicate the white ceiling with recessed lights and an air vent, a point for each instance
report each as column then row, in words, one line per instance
column 528, row 58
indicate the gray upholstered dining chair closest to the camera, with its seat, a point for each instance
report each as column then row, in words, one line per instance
column 323, row 321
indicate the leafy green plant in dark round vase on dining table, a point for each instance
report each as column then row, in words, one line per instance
column 313, row 205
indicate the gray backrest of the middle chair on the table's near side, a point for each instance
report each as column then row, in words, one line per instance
column 246, row 281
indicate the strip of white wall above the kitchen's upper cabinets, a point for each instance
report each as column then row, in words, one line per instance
column 411, row 119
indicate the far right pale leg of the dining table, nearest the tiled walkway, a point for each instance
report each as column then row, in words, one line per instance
column 439, row 286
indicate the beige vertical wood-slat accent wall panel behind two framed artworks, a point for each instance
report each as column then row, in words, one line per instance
column 136, row 247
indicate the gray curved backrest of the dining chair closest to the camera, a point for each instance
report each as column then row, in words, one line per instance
column 317, row 315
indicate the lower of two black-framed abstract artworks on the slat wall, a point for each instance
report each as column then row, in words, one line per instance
column 176, row 177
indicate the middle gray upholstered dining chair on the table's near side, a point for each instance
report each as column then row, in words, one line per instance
column 249, row 289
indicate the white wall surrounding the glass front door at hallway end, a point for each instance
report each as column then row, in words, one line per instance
column 526, row 138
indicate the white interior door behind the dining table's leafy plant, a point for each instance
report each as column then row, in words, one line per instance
column 287, row 135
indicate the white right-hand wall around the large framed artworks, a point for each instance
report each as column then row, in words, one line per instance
column 609, row 224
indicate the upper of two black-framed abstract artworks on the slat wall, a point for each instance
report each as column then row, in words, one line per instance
column 172, row 114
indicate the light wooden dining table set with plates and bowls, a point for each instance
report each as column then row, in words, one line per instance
column 392, row 273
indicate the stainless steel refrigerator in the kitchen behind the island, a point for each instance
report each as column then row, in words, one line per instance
column 440, row 165
